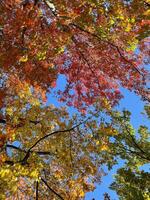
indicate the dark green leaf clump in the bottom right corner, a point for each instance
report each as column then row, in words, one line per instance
column 132, row 185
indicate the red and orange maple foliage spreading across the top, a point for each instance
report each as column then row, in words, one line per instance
column 88, row 41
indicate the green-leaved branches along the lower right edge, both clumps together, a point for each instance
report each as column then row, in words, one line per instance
column 130, row 181
